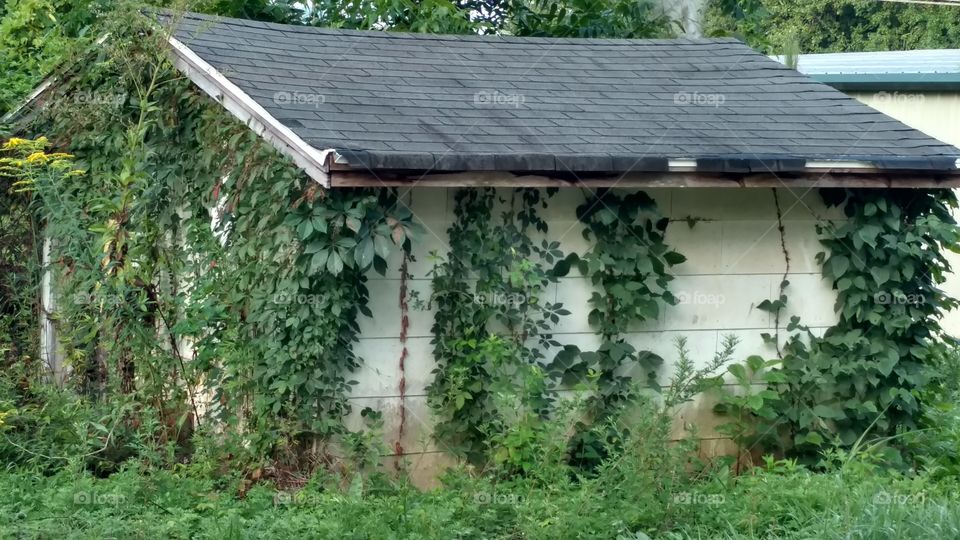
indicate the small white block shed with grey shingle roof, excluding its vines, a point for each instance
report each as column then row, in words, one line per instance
column 731, row 145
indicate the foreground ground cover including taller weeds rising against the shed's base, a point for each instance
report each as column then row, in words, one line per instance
column 646, row 487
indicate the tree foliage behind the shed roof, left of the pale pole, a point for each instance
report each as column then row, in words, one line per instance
column 36, row 36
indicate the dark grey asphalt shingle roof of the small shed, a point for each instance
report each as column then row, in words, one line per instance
column 444, row 102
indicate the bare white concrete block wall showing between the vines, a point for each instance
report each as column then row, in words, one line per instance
column 735, row 260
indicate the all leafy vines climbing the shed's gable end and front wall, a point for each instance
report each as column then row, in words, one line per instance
column 201, row 275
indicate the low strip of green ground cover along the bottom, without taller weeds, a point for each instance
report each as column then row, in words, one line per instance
column 780, row 501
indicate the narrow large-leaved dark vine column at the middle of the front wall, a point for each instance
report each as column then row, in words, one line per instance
column 628, row 265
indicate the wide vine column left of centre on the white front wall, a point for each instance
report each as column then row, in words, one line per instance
column 492, row 322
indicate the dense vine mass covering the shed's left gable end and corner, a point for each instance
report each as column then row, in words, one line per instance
column 197, row 268
